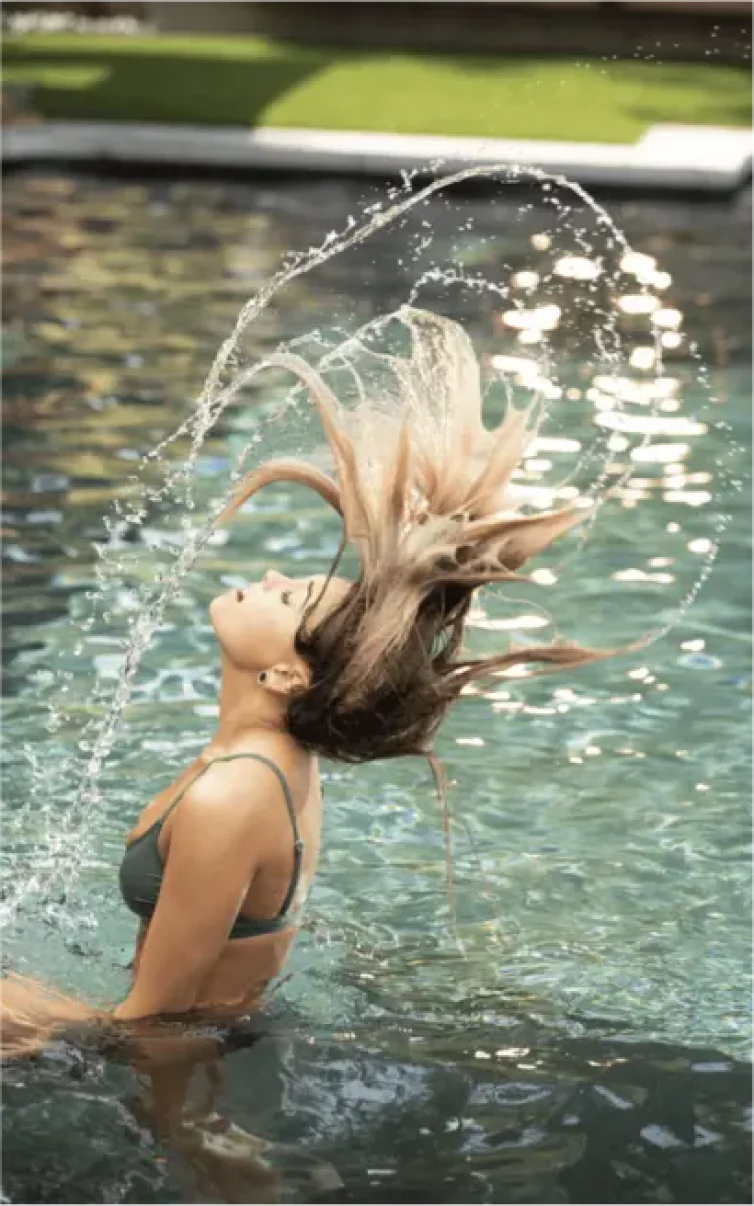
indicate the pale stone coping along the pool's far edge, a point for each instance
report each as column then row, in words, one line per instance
column 668, row 157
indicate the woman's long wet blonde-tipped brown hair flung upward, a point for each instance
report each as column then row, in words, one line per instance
column 424, row 491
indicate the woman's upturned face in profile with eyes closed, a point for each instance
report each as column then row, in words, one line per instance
column 256, row 627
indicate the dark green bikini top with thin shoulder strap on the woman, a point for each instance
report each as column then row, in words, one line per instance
column 142, row 870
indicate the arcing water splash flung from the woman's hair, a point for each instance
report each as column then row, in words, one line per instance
column 57, row 865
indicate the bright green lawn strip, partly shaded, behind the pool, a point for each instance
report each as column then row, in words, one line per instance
column 258, row 83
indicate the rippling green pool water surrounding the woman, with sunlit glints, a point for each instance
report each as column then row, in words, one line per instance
column 587, row 1034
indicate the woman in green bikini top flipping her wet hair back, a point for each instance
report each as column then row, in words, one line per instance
column 220, row 863
